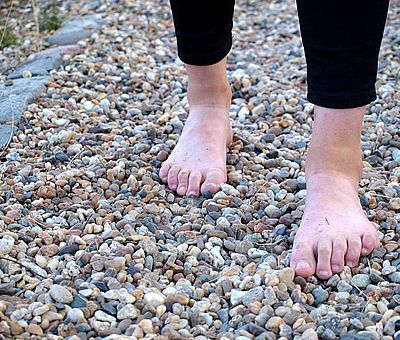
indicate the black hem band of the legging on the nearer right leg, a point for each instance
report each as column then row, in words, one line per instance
column 333, row 102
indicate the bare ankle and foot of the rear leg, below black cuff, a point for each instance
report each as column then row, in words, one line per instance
column 197, row 165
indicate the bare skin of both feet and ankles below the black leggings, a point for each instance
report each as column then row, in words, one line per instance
column 334, row 230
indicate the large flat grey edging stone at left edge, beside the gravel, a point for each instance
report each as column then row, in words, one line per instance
column 15, row 99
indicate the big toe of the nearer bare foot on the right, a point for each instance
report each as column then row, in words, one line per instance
column 303, row 259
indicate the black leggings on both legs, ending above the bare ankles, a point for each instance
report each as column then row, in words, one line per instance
column 341, row 40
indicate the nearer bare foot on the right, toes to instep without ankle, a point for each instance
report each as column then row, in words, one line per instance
column 334, row 230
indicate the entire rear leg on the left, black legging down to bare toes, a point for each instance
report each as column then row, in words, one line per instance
column 198, row 162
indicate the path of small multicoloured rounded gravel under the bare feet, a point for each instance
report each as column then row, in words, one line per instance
column 93, row 245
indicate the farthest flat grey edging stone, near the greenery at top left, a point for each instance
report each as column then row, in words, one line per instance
column 76, row 29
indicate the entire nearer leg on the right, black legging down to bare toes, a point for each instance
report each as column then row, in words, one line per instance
column 341, row 42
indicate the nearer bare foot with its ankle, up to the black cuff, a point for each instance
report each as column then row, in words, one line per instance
column 334, row 230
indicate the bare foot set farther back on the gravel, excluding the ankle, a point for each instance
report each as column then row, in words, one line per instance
column 198, row 162
